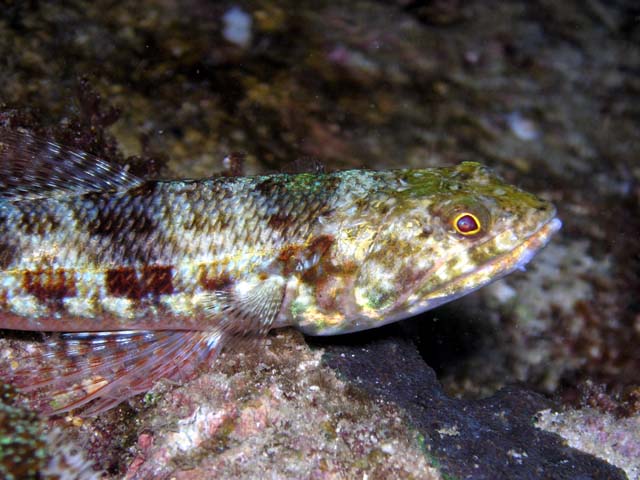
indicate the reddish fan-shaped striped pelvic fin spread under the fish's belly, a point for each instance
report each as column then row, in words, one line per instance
column 99, row 370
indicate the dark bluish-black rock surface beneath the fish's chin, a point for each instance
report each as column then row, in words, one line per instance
column 481, row 439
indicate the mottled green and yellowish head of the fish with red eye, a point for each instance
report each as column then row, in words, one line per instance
column 449, row 232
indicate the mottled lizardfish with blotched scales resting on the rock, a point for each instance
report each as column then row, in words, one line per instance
column 135, row 279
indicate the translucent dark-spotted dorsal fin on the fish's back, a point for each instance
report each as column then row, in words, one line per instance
column 31, row 167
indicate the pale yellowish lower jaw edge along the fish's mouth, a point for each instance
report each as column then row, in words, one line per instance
column 486, row 273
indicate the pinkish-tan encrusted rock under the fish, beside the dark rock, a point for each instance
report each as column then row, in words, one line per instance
column 277, row 412
